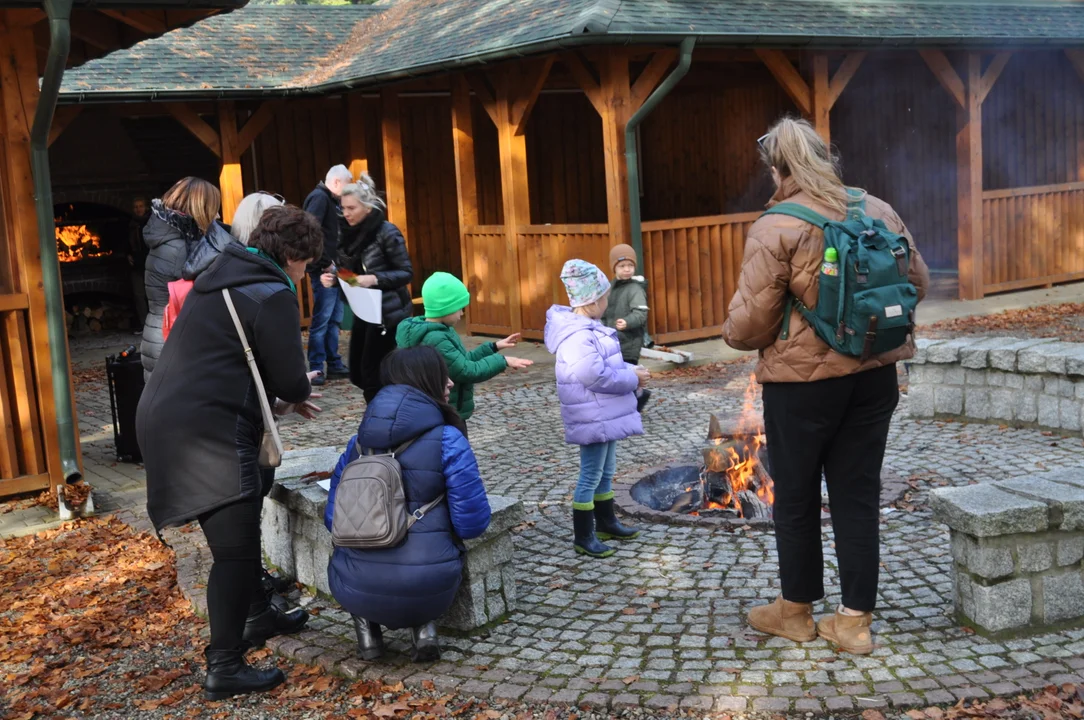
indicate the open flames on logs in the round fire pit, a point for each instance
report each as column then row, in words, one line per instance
column 734, row 457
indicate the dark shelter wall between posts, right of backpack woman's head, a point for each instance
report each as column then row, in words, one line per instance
column 896, row 130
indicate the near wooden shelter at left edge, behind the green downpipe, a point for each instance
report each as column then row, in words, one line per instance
column 30, row 446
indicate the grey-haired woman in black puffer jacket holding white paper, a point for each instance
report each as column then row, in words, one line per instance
column 373, row 249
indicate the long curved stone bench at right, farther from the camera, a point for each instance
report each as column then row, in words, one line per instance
column 1004, row 380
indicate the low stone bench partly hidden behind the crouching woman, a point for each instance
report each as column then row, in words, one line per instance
column 299, row 546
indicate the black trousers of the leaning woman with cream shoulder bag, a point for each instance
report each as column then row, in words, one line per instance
column 234, row 588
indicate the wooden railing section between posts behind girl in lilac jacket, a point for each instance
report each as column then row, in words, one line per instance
column 544, row 250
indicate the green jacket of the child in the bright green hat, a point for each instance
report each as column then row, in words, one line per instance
column 464, row 368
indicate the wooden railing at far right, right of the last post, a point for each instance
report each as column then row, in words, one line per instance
column 1035, row 237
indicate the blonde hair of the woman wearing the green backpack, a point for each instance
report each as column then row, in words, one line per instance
column 794, row 148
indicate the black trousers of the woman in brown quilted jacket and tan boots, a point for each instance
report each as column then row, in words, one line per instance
column 838, row 427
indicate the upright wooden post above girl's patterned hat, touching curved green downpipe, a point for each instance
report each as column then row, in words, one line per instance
column 618, row 108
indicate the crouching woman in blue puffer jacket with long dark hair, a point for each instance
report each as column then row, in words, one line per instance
column 414, row 584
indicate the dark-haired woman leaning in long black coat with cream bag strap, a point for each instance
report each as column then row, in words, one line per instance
column 200, row 428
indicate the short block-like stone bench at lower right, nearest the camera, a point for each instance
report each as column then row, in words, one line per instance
column 1017, row 548
